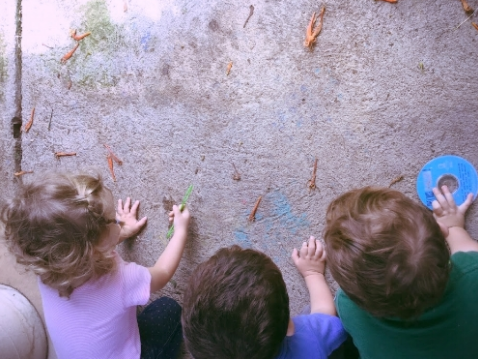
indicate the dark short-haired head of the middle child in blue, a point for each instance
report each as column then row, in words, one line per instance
column 235, row 306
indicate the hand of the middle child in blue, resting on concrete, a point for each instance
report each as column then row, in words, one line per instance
column 310, row 260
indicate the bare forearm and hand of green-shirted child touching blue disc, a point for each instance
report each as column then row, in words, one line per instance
column 451, row 219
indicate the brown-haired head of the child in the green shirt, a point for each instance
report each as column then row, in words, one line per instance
column 386, row 252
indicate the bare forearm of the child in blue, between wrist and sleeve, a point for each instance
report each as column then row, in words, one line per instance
column 321, row 299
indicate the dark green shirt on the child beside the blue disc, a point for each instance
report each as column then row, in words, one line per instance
column 448, row 330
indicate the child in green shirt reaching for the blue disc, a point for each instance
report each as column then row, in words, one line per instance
column 402, row 294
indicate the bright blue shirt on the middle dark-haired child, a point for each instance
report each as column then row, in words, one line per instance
column 315, row 336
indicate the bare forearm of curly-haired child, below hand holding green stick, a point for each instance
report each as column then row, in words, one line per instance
column 168, row 261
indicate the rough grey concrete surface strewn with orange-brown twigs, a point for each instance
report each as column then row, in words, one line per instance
column 386, row 88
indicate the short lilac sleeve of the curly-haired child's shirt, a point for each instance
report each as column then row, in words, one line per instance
column 136, row 284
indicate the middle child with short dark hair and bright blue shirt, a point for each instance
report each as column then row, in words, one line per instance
column 237, row 306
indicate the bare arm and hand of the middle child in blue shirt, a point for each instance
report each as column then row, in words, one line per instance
column 310, row 261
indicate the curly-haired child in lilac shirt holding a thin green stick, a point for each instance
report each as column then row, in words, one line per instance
column 64, row 228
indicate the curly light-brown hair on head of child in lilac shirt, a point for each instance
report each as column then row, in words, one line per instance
column 54, row 226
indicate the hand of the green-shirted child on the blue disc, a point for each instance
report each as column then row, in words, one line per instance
column 446, row 212
